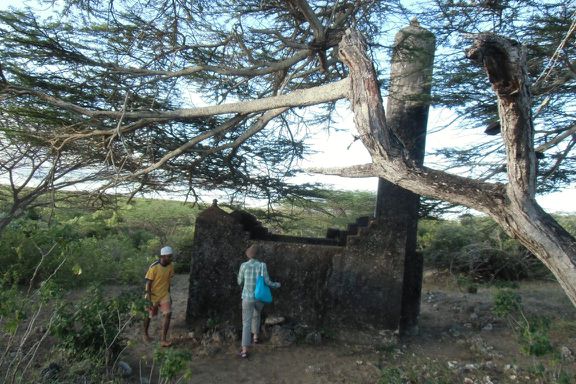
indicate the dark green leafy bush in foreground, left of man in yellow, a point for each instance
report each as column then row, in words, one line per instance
column 92, row 327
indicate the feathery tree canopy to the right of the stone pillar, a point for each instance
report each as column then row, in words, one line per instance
column 547, row 30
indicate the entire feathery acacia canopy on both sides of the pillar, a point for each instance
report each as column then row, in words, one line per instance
column 151, row 88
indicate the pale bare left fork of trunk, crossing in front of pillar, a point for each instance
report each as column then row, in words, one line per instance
column 389, row 160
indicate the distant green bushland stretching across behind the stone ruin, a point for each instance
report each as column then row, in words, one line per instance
column 116, row 244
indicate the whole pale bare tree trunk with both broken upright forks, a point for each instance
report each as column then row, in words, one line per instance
column 512, row 205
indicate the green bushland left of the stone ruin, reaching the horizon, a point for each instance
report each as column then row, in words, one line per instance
column 103, row 246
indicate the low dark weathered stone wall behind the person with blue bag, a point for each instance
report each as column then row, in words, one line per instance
column 358, row 285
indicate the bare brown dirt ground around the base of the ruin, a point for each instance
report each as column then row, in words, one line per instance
column 460, row 341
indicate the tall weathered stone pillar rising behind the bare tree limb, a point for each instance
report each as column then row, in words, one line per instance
column 407, row 116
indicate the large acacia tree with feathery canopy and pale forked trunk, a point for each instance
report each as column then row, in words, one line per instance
column 121, row 79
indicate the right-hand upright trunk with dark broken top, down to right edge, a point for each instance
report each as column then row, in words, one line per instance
column 505, row 64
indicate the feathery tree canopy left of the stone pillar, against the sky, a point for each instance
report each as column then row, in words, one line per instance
column 123, row 80
